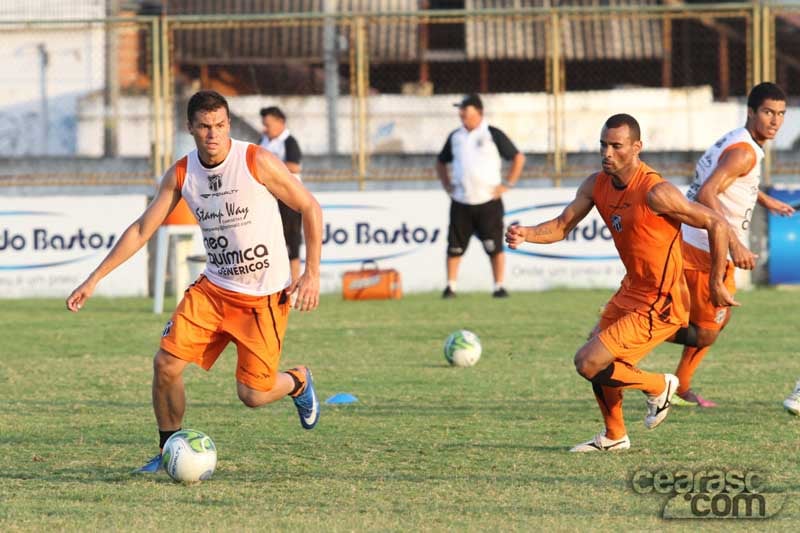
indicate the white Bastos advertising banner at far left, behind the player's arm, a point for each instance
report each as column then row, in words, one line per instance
column 49, row 244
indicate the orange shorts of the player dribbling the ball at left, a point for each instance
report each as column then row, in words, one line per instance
column 209, row 317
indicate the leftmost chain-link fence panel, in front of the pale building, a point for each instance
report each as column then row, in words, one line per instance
column 78, row 103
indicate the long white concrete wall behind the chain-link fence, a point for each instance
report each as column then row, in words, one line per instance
column 672, row 120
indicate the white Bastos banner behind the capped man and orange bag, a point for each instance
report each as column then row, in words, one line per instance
column 407, row 230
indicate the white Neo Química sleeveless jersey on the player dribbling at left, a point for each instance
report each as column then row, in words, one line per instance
column 240, row 221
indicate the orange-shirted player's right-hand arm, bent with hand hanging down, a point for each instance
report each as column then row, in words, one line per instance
column 666, row 199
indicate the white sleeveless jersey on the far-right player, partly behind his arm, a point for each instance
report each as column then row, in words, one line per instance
column 739, row 199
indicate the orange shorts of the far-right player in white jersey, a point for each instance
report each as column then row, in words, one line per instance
column 696, row 270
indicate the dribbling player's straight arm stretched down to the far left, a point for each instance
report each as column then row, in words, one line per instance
column 131, row 240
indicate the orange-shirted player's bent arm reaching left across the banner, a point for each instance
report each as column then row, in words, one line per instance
column 556, row 229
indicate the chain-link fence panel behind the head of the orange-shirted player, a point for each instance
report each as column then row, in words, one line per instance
column 676, row 72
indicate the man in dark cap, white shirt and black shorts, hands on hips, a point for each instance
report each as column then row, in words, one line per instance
column 475, row 151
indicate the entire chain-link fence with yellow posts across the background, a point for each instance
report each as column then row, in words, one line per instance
column 368, row 87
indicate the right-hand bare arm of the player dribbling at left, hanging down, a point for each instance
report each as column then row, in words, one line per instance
column 277, row 179
